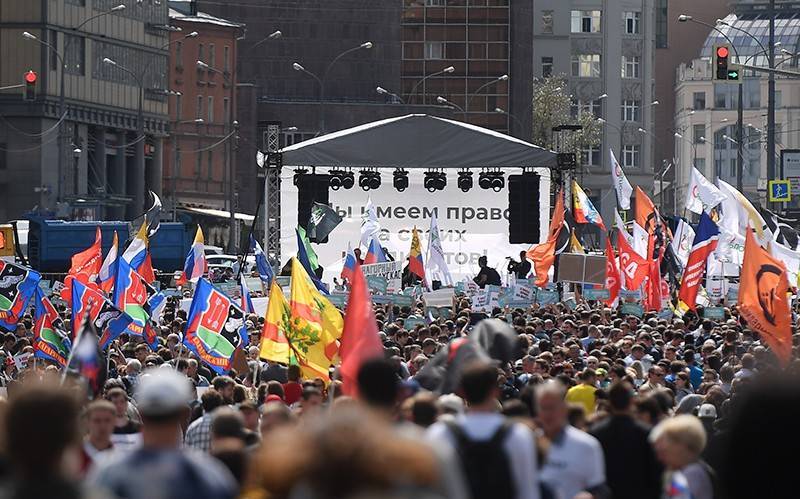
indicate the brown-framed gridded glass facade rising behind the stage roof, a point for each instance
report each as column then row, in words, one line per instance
column 488, row 45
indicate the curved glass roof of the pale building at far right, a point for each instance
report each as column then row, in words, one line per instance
column 787, row 33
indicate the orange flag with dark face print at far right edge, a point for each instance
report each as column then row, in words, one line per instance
column 762, row 298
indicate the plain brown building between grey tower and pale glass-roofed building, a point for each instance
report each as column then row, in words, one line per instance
column 676, row 43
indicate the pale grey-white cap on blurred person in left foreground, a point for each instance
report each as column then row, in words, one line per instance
column 162, row 392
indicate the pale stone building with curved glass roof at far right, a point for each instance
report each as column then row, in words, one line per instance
column 706, row 111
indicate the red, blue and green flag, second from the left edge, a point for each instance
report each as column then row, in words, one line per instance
column 50, row 337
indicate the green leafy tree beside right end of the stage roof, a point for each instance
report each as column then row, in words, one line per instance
column 552, row 107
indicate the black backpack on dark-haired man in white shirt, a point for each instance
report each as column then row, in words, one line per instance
column 487, row 468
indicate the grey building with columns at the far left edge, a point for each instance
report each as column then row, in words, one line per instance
column 98, row 154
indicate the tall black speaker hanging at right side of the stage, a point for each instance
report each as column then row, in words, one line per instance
column 523, row 208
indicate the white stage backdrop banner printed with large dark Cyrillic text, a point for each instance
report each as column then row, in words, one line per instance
column 471, row 224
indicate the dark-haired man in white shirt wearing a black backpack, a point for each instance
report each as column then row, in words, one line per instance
column 483, row 426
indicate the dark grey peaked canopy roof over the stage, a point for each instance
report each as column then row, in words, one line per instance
column 417, row 141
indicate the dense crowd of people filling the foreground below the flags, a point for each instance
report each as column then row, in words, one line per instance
column 586, row 404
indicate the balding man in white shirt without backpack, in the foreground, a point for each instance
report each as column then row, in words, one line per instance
column 575, row 466
